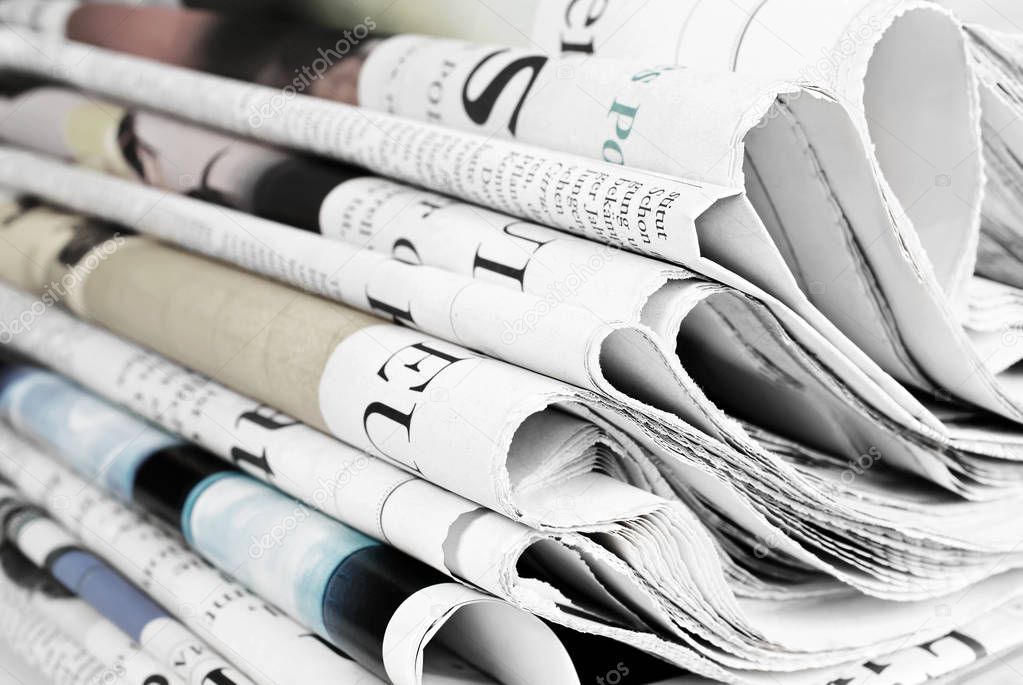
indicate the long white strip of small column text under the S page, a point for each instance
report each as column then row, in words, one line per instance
column 318, row 131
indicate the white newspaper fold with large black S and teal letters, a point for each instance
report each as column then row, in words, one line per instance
column 854, row 255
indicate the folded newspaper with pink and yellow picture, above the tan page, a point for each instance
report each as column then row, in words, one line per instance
column 540, row 333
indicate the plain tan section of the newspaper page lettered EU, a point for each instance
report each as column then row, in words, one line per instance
column 264, row 339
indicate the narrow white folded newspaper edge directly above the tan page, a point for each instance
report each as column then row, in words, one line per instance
column 562, row 342
